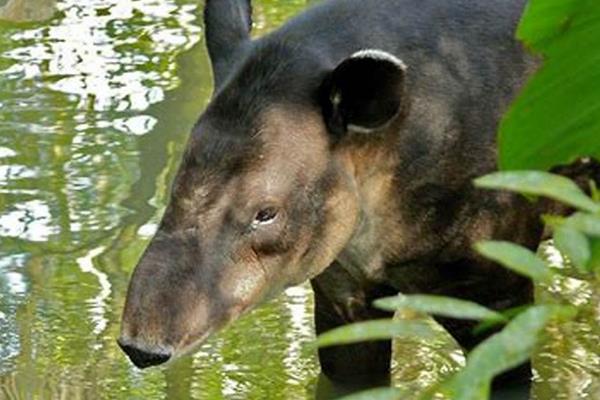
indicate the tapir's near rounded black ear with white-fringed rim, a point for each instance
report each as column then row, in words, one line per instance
column 364, row 92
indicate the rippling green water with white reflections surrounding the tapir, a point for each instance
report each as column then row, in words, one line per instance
column 96, row 100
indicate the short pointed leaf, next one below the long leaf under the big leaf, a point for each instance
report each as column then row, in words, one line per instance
column 516, row 258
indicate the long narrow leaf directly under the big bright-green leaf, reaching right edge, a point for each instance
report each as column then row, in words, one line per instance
column 538, row 183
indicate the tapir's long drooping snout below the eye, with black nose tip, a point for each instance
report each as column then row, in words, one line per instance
column 179, row 294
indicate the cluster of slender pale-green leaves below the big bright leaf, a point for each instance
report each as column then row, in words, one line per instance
column 577, row 237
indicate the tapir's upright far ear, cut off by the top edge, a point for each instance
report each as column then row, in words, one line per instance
column 227, row 24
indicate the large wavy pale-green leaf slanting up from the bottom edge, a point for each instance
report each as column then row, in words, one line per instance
column 502, row 352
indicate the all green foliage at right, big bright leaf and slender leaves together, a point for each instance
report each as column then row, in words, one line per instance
column 553, row 122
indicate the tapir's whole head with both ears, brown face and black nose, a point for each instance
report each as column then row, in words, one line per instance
column 267, row 193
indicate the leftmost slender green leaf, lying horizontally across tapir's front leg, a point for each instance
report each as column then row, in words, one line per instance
column 372, row 330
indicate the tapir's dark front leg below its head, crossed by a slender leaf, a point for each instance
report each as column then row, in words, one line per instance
column 340, row 300
